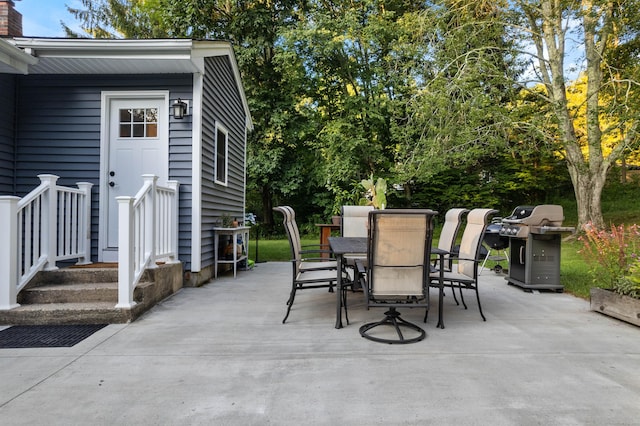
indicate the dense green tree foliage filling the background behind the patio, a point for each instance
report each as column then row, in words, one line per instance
column 423, row 94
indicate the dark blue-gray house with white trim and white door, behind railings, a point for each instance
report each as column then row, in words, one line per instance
column 107, row 112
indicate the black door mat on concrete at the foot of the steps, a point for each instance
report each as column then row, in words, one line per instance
column 46, row 336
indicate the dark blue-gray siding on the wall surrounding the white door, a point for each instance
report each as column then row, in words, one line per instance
column 59, row 133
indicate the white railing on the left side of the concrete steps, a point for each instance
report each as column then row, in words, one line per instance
column 51, row 223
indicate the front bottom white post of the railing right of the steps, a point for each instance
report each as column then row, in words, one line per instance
column 125, row 252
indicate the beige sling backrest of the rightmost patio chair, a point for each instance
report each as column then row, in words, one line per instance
column 477, row 221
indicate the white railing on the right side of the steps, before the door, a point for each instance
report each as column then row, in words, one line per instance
column 147, row 231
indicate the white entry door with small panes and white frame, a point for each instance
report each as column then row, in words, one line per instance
column 137, row 144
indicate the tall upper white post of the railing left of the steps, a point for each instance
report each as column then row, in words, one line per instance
column 49, row 220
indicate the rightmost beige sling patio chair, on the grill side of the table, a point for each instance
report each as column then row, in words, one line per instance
column 464, row 273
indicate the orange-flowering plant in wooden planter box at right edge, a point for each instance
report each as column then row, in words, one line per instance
column 613, row 257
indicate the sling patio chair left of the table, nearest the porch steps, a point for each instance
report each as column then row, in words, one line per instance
column 310, row 270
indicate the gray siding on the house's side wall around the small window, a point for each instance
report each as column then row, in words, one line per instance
column 222, row 104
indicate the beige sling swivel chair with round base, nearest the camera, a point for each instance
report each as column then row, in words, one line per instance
column 397, row 275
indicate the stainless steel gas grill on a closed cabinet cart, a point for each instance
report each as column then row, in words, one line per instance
column 534, row 239
